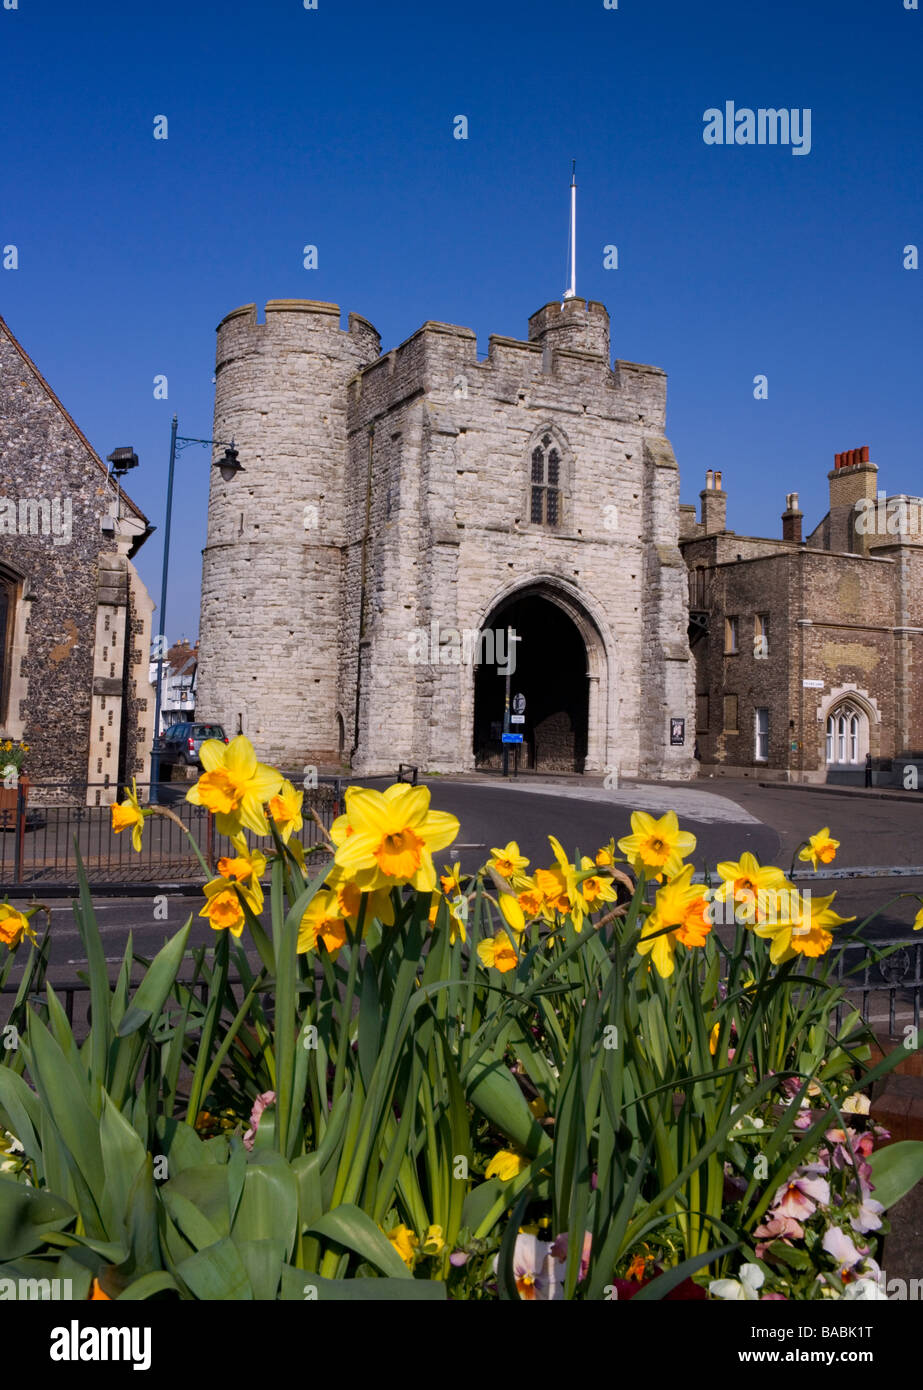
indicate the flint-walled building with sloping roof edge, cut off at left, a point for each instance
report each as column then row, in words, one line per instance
column 74, row 615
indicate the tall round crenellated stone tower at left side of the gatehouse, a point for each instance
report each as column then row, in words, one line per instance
column 272, row 579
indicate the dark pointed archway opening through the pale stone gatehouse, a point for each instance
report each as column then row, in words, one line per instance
column 550, row 669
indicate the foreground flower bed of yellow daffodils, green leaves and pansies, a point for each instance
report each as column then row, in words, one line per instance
column 597, row 1079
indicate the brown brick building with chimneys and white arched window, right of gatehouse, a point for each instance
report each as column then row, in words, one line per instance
column 810, row 651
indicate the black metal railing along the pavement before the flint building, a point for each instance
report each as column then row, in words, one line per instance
column 51, row 825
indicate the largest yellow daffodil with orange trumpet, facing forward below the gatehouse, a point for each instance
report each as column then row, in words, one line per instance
column 390, row 837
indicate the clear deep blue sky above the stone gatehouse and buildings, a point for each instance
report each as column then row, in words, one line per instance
column 334, row 127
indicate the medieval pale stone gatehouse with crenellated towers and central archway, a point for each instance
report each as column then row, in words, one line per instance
column 401, row 515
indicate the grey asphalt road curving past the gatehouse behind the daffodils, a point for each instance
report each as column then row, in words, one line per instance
column 726, row 819
